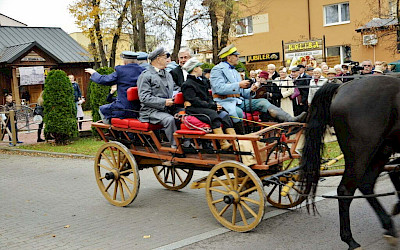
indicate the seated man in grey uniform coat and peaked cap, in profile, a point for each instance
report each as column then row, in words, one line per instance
column 156, row 87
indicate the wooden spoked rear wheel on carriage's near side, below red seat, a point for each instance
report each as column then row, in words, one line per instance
column 117, row 173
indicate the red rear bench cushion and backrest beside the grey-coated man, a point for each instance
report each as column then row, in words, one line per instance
column 132, row 123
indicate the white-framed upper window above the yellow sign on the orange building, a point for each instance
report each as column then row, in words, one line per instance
column 337, row 14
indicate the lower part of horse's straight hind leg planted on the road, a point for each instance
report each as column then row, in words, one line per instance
column 346, row 187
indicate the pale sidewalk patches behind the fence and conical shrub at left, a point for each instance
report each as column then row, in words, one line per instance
column 30, row 137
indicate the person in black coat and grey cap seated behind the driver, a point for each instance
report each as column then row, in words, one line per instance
column 199, row 102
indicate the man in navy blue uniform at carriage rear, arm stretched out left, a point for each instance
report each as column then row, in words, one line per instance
column 125, row 76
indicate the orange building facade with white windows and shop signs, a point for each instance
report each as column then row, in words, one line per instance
column 311, row 31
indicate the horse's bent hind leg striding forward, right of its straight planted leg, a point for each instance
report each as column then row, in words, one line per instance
column 367, row 188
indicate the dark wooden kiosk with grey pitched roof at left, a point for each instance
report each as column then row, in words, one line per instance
column 50, row 48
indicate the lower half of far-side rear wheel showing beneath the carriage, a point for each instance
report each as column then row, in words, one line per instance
column 173, row 178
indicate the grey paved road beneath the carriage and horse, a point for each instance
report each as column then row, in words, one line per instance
column 48, row 203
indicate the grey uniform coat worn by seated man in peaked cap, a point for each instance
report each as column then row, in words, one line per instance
column 154, row 87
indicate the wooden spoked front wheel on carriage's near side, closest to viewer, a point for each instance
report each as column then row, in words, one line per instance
column 235, row 196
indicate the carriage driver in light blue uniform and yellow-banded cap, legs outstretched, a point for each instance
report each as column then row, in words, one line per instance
column 233, row 93
